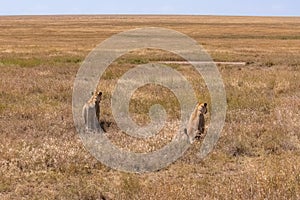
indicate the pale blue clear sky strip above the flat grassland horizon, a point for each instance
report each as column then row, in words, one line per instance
column 194, row 7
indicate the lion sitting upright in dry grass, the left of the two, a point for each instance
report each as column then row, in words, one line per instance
column 91, row 112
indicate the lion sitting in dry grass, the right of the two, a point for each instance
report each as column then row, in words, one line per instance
column 196, row 124
